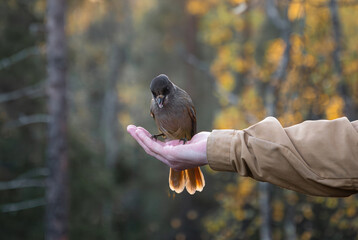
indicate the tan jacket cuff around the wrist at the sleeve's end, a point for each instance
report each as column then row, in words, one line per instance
column 218, row 150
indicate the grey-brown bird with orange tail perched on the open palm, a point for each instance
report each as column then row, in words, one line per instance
column 174, row 113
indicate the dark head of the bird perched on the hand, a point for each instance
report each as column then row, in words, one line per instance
column 161, row 88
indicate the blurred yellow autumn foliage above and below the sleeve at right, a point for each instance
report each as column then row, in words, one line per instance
column 248, row 51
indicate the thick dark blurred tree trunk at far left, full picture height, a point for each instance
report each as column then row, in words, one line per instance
column 57, row 185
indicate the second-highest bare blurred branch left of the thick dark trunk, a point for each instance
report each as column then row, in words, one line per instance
column 31, row 91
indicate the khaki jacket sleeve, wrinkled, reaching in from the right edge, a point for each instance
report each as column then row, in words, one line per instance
column 315, row 157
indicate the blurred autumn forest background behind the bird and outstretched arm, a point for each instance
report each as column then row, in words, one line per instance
column 239, row 60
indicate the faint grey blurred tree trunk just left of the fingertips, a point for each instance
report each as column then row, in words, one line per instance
column 110, row 109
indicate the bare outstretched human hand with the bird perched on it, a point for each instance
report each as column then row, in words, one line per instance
column 173, row 153
